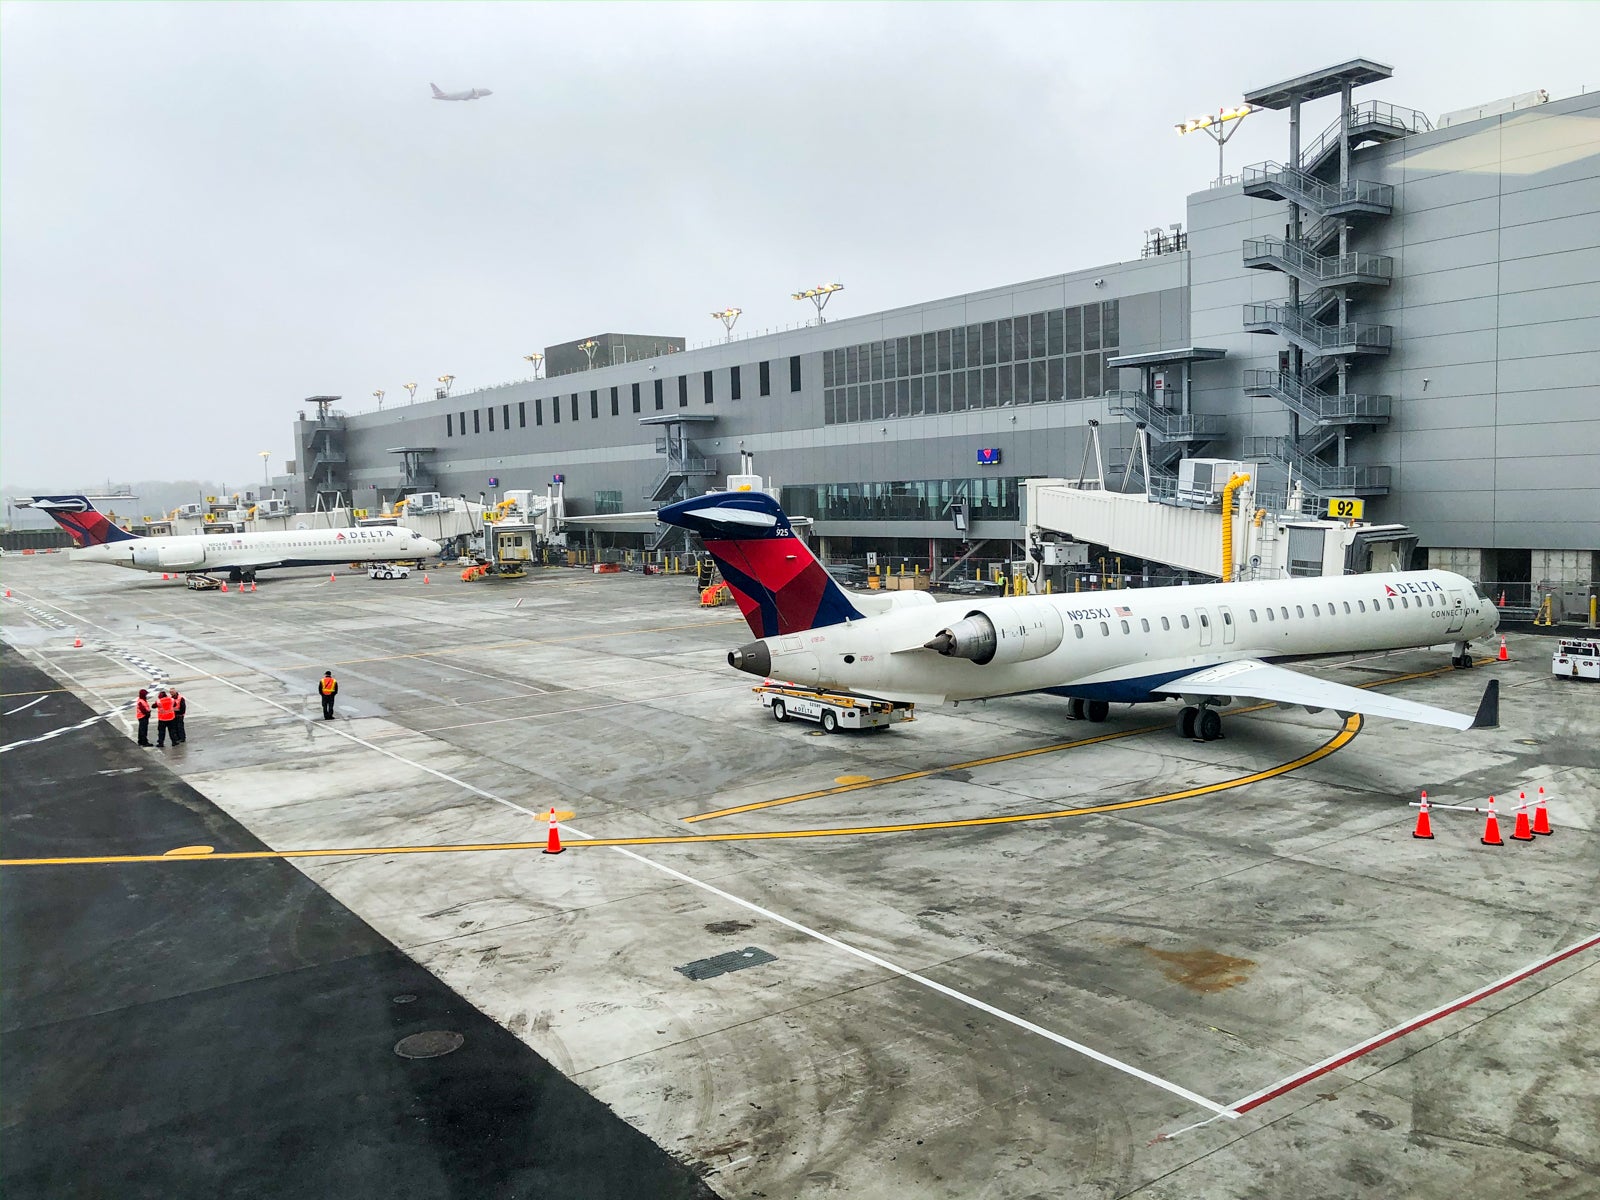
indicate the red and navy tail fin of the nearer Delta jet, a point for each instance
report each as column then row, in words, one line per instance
column 775, row 578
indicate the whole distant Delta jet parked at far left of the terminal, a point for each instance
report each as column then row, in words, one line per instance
column 239, row 554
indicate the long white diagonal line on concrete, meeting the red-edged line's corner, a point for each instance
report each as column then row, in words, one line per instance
column 866, row 956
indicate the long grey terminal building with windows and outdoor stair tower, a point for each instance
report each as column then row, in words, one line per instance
column 1404, row 310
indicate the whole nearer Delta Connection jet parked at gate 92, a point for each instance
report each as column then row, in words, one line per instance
column 1204, row 644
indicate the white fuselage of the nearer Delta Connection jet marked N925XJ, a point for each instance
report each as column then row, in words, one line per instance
column 1121, row 646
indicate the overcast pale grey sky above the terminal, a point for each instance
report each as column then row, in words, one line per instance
column 210, row 212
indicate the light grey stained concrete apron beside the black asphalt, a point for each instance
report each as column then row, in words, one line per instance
column 1239, row 975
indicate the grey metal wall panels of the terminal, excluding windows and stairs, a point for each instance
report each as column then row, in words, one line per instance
column 1495, row 370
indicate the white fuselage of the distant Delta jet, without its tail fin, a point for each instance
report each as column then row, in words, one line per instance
column 254, row 551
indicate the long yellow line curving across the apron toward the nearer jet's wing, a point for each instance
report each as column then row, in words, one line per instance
column 1343, row 738
